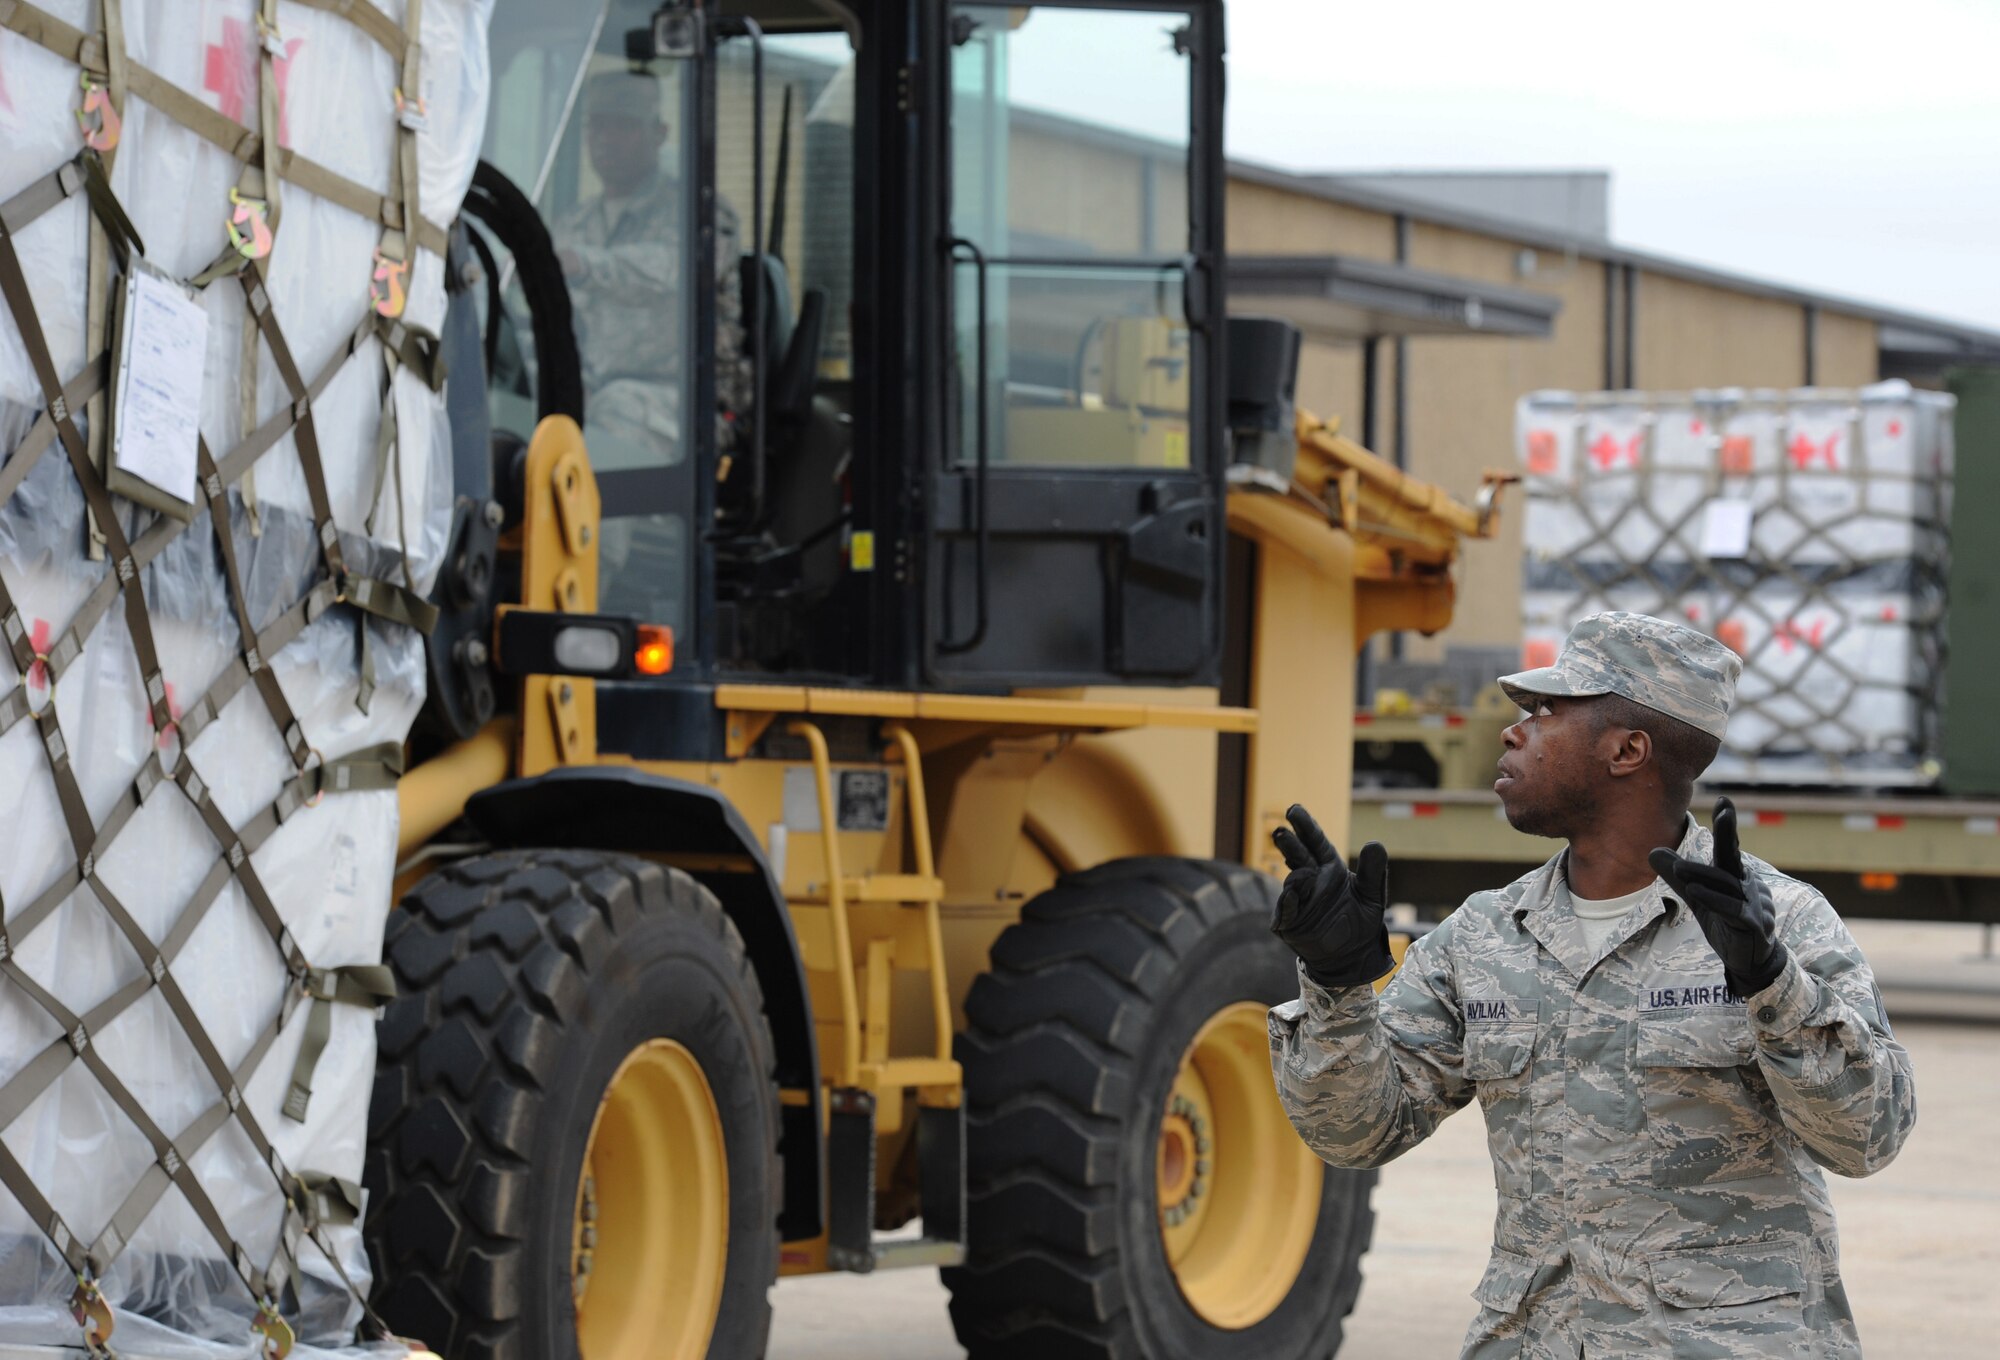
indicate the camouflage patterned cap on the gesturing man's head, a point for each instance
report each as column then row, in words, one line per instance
column 1651, row 661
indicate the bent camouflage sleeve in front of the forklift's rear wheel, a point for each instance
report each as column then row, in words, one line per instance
column 1367, row 1079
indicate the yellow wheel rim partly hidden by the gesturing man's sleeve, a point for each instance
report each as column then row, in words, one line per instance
column 1239, row 1193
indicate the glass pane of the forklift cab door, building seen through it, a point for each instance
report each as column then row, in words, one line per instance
column 1071, row 135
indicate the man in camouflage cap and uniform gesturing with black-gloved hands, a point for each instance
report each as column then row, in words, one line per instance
column 1669, row 1037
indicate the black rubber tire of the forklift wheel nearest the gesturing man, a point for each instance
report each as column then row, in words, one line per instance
column 1071, row 1049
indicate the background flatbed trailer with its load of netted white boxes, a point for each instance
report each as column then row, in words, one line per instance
column 1813, row 531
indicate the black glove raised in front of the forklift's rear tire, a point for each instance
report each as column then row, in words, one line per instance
column 1329, row 917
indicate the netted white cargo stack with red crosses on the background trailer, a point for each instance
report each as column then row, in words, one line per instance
column 1807, row 531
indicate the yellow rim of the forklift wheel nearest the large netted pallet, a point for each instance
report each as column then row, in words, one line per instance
column 653, row 1213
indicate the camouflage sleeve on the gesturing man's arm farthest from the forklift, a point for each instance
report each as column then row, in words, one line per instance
column 1841, row 1079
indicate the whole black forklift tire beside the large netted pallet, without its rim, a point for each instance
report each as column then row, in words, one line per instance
column 525, row 981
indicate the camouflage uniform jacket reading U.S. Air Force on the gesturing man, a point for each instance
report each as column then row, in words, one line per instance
column 1655, row 1139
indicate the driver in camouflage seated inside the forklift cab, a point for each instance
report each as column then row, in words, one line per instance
column 623, row 259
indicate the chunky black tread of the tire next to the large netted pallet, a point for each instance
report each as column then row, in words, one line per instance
column 493, row 957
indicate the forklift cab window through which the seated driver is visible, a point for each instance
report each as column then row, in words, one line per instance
column 605, row 147
